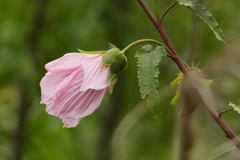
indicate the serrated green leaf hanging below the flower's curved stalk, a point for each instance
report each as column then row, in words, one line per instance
column 148, row 71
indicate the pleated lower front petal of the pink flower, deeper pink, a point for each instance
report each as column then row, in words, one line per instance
column 71, row 104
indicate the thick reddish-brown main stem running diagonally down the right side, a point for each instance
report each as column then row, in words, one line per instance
column 223, row 125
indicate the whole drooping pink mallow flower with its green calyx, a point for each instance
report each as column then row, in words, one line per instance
column 76, row 83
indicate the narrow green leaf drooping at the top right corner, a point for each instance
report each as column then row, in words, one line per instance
column 206, row 16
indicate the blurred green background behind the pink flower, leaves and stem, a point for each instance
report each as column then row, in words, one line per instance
column 34, row 32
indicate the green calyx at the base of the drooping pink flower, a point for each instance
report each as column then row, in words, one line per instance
column 116, row 60
